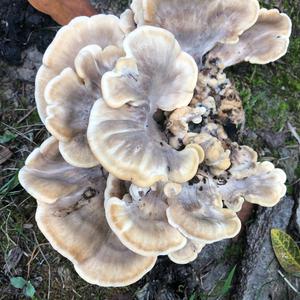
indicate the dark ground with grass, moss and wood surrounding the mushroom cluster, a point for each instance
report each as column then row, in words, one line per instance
column 270, row 96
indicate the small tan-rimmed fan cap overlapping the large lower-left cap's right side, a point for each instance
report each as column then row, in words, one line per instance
column 140, row 222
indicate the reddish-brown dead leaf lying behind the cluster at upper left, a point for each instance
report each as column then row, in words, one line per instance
column 63, row 11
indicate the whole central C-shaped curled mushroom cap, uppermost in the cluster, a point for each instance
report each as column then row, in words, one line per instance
column 154, row 74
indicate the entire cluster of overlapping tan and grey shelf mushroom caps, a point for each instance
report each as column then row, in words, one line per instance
column 138, row 164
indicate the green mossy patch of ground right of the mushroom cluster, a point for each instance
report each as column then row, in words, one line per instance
column 271, row 93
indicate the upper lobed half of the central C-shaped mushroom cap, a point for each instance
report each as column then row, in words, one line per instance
column 155, row 71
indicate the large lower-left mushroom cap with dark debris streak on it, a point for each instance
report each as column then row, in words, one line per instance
column 73, row 218
